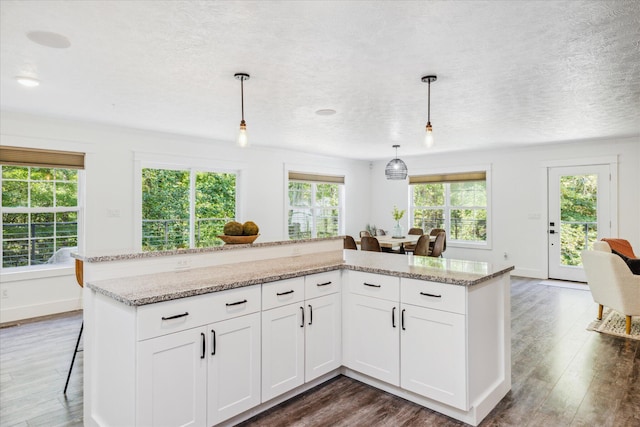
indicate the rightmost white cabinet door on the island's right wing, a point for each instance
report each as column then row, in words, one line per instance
column 433, row 354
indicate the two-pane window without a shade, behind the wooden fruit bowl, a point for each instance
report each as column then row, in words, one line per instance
column 185, row 208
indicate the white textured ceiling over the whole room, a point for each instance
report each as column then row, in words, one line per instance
column 509, row 73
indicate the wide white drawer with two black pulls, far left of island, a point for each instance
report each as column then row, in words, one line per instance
column 184, row 313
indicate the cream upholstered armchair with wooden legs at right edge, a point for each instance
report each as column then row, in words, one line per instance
column 611, row 282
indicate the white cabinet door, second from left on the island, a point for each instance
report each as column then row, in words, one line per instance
column 233, row 368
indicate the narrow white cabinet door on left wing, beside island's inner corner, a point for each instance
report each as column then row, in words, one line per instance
column 323, row 336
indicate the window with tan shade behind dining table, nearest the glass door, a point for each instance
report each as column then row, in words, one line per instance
column 454, row 202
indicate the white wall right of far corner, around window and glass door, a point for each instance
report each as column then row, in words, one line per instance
column 519, row 192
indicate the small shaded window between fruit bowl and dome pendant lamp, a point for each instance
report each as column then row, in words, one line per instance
column 315, row 206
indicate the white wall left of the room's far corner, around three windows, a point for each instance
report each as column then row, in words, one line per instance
column 110, row 176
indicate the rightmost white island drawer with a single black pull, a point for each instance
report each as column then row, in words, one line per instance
column 440, row 296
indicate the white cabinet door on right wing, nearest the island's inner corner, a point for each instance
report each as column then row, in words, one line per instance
column 372, row 337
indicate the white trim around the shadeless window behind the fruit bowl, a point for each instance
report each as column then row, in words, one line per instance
column 144, row 160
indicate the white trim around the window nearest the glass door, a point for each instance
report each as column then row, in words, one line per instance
column 486, row 245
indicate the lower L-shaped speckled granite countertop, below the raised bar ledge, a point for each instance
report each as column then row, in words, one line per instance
column 153, row 288
